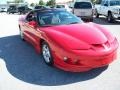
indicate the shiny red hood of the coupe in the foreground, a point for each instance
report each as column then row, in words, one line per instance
column 77, row 36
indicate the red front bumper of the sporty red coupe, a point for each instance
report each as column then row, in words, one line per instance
column 84, row 60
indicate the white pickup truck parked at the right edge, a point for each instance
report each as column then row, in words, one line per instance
column 110, row 9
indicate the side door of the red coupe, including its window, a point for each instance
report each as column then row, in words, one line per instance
column 31, row 32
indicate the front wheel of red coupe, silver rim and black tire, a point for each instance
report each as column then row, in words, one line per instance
column 46, row 53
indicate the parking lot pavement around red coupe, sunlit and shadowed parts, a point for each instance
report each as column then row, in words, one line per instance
column 21, row 68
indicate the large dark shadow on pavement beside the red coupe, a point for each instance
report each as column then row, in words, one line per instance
column 25, row 64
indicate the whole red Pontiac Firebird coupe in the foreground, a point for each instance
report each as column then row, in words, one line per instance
column 66, row 42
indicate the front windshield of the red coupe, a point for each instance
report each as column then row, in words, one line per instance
column 57, row 18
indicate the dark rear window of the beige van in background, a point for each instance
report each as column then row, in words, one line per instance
column 82, row 5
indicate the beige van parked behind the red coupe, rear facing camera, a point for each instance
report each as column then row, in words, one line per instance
column 84, row 9
